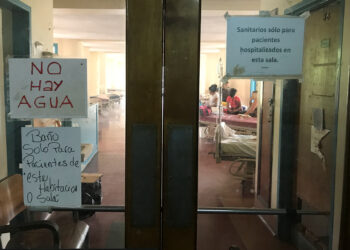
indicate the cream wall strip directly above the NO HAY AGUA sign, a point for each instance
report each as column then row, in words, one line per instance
column 41, row 23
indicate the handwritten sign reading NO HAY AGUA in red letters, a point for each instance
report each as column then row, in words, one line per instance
column 48, row 88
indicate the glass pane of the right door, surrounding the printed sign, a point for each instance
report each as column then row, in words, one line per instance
column 268, row 206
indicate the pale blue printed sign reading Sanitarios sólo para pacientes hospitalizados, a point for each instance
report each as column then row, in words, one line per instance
column 264, row 46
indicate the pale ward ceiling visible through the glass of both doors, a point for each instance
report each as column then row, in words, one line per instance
column 104, row 29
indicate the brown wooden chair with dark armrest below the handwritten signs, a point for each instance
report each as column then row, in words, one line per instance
column 59, row 230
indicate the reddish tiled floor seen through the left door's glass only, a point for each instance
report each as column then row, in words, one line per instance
column 110, row 161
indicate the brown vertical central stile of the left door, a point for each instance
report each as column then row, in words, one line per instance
column 143, row 124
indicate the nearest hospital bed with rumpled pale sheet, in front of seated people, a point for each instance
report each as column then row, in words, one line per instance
column 239, row 149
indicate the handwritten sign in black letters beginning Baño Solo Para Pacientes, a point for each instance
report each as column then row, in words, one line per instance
column 51, row 166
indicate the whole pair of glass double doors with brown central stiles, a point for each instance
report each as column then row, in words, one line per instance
column 177, row 195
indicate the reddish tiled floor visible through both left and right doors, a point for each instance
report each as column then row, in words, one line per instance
column 216, row 188
